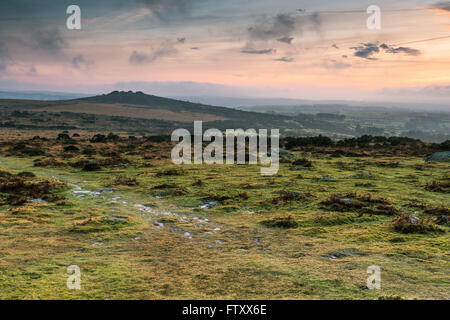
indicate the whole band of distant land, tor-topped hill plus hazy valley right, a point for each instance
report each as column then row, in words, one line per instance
column 139, row 113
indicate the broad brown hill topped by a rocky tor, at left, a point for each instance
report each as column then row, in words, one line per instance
column 132, row 112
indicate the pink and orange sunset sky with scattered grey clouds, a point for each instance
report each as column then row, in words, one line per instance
column 295, row 49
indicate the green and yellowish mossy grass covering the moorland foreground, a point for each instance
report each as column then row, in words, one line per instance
column 233, row 255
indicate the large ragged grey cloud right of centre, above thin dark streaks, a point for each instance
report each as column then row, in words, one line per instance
column 283, row 26
